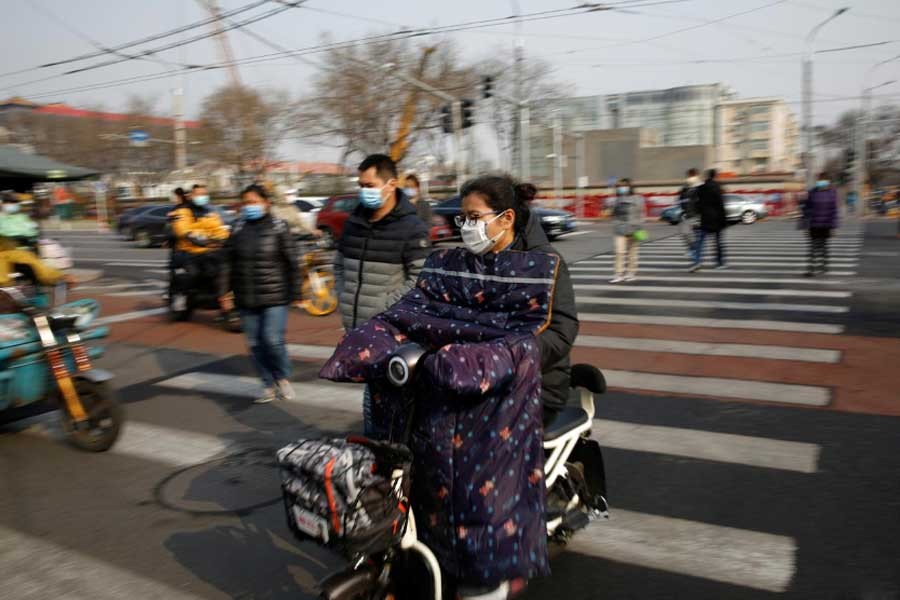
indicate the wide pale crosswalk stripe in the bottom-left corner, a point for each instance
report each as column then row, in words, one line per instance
column 35, row 568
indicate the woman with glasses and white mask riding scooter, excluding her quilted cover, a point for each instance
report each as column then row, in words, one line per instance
column 495, row 218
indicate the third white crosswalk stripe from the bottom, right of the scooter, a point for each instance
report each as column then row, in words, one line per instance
column 731, row 389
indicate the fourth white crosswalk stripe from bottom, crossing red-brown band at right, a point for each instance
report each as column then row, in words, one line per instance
column 710, row 349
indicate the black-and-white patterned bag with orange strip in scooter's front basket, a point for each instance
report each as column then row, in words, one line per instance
column 346, row 494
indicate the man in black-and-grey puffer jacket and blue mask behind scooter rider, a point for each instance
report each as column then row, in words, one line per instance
column 380, row 254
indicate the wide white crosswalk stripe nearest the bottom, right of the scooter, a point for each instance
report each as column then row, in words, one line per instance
column 739, row 557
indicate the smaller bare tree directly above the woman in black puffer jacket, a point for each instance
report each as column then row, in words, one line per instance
column 243, row 128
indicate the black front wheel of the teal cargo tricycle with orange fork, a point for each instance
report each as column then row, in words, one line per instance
column 105, row 418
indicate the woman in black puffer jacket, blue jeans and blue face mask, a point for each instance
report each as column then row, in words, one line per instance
column 262, row 271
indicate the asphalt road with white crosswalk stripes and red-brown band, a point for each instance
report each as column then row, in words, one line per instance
column 751, row 437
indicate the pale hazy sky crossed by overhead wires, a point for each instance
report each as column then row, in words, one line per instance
column 754, row 46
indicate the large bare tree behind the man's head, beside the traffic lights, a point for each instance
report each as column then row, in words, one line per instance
column 358, row 107
